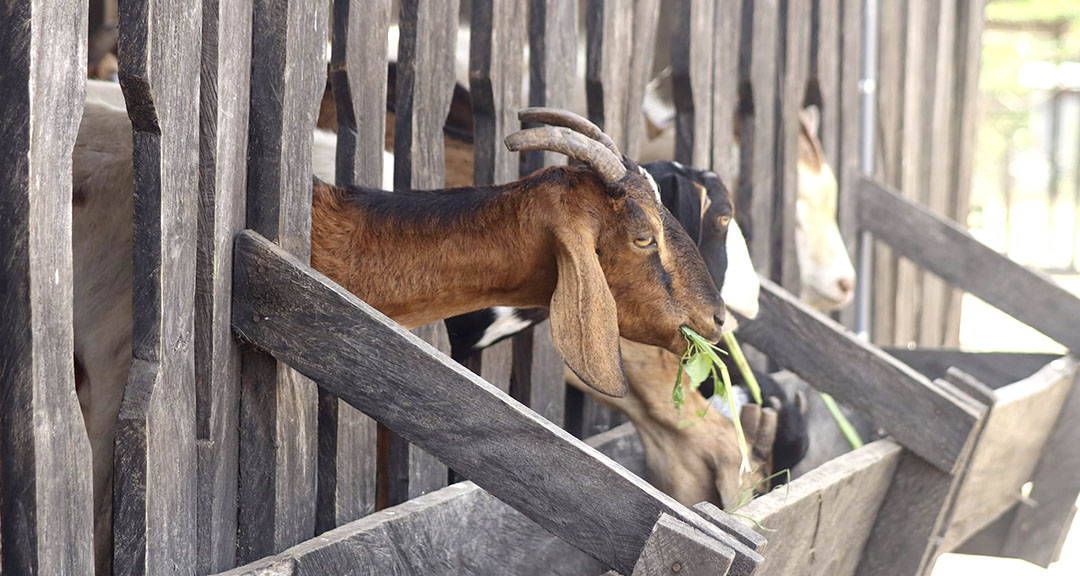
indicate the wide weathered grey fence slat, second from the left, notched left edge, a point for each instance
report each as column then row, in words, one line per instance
column 156, row 464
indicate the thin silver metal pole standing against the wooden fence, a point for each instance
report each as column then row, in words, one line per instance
column 868, row 90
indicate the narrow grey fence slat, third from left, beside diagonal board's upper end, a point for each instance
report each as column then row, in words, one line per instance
column 223, row 156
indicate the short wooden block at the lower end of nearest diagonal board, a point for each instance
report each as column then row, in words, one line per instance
column 674, row 547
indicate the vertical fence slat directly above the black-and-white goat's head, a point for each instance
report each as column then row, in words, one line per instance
column 692, row 46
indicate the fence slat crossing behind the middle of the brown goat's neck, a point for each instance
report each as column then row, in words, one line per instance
column 426, row 60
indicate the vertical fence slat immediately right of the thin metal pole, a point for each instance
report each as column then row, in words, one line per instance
column 893, row 20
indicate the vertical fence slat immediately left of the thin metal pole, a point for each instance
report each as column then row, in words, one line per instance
column 846, row 111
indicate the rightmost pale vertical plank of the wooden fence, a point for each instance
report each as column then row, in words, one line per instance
column 969, row 48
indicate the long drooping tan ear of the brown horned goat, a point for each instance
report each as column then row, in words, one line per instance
column 585, row 325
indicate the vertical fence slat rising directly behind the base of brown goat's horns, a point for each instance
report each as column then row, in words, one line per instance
column 609, row 32
